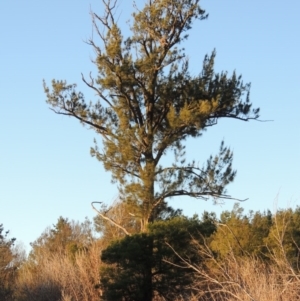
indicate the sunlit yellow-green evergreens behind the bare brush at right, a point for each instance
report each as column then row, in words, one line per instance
column 262, row 235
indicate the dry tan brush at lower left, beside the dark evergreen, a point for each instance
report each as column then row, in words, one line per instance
column 57, row 278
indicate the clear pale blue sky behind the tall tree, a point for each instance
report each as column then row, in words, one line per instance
column 46, row 170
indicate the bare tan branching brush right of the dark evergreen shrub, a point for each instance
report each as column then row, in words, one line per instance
column 245, row 278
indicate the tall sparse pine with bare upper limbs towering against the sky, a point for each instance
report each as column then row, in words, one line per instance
column 149, row 104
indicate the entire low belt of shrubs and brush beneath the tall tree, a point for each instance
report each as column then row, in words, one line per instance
column 235, row 256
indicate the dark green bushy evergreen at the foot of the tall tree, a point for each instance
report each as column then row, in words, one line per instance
column 144, row 265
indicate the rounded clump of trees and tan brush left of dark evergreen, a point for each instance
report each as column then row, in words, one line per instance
column 62, row 265
